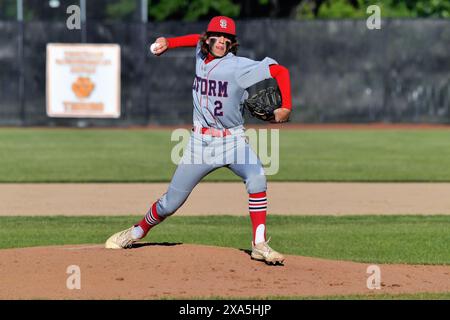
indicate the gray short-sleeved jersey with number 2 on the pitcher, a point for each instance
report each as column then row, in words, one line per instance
column 219, row 88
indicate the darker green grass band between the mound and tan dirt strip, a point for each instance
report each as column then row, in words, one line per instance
column 369, row 239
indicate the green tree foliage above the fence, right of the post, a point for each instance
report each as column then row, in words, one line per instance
column 301, row 9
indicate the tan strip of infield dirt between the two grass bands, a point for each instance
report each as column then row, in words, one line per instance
column 287, row 198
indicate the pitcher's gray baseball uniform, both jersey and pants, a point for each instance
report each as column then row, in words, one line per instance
column 219, row 88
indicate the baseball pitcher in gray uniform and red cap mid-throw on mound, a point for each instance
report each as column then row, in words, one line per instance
column 219, row 94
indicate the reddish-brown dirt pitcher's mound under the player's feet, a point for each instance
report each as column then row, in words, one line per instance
column 165, row 270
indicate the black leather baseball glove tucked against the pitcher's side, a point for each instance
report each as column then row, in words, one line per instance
column 263, row 104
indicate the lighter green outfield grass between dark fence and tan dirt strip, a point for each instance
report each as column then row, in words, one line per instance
column 86, row 155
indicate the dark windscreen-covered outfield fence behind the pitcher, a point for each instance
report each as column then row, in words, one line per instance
column 340, row 70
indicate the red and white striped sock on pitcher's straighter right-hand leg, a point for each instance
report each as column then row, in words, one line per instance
column 257, row 204
